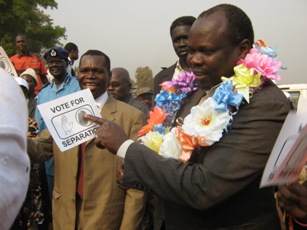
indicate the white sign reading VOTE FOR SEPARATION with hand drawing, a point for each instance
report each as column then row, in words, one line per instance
column 64, row 118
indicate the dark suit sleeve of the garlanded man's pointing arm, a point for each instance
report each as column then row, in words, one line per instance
column 226, row 168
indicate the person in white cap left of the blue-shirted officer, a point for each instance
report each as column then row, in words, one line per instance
column 31, row 78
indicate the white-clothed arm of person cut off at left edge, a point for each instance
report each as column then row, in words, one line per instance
column 14, row 161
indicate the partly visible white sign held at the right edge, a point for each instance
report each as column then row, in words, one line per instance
column 289, row 154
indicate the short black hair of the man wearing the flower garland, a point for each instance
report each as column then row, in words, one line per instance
column 239, row 24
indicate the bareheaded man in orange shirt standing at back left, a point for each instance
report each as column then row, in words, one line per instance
column 25, row 59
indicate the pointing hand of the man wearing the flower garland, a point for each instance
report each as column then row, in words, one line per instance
column 108, row 135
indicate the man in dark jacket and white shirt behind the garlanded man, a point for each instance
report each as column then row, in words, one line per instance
column 179, row 31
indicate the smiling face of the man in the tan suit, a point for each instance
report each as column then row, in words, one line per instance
column 93, row 74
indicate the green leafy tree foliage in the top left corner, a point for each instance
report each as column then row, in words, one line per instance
column 25, row 17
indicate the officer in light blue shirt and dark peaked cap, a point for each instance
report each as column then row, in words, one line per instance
column 62, row 85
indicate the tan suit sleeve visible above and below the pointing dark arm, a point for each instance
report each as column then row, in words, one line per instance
column 135, row 200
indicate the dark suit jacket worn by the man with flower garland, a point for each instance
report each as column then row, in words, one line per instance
column 219, row 187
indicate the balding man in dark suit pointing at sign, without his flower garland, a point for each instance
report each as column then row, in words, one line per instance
column 219, row 187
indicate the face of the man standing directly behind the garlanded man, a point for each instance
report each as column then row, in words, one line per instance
column 180, row 35
